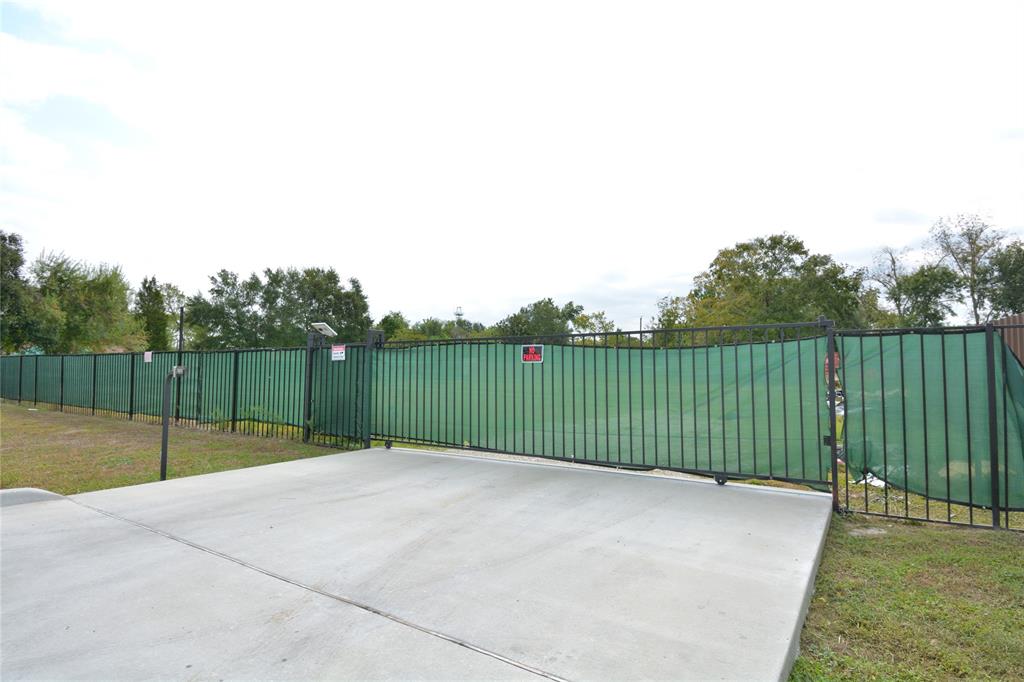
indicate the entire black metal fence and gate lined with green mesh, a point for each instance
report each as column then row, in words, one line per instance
column 929, row 423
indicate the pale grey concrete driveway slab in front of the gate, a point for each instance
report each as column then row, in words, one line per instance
column 406, row 565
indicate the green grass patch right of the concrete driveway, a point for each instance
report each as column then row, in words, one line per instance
column 917, row 602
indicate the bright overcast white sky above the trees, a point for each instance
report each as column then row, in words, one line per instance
column 486, row 155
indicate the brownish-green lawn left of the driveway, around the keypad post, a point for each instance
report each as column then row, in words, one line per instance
column 70, row 454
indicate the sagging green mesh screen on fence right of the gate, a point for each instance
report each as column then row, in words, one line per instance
column 918, row 417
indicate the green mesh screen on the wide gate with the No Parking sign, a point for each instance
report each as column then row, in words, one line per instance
column 758, row 409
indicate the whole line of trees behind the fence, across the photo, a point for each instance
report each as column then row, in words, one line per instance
column 61, row 306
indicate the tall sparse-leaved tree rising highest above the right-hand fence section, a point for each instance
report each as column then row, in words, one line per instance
column 969, row 244
